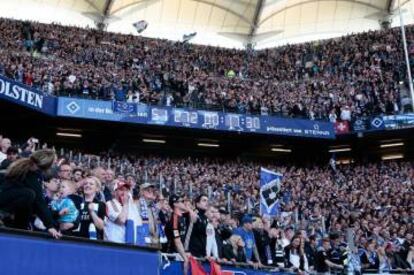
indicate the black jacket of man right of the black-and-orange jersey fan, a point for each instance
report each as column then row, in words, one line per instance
column 198, row 239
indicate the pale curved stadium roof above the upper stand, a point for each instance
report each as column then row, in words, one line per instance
column 229, row 23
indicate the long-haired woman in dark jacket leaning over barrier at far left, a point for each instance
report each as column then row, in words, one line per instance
column 22, row 193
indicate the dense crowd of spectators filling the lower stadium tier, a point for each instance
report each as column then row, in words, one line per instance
column 330, row 218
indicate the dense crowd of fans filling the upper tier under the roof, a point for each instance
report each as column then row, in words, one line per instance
column 336, row 79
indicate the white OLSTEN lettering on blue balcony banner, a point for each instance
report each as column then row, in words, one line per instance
column 21, row 94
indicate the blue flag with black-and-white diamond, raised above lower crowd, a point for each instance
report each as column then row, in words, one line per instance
column 270, row 184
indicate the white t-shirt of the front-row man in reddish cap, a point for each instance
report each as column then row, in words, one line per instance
column 114, row 232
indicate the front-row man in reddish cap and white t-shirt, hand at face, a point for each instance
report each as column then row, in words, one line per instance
column 117, row 213
